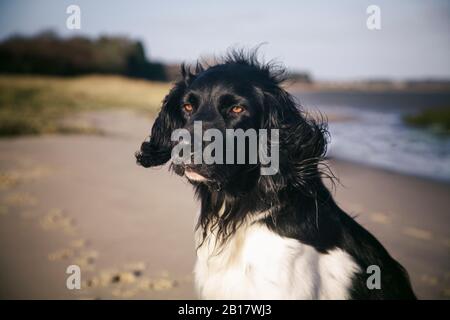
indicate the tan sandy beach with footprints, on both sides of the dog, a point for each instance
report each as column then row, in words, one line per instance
column 81, row 199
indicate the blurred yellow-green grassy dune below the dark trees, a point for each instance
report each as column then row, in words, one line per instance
column 36, row 105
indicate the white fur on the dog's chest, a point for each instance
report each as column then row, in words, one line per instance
column 256, row 263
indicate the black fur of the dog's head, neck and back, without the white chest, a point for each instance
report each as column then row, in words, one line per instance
column 301, row 206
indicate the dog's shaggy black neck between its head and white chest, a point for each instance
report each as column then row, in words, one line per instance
column 227, row 211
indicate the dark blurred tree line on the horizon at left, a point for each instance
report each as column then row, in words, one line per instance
column 49, row 54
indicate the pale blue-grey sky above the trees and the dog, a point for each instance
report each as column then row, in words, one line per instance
column 329, row 39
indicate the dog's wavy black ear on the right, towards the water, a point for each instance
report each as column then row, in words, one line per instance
column 302, row 143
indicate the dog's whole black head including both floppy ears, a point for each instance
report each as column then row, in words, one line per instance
column 237, row 93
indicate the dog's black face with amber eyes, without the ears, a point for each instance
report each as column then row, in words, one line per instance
column 220, row 98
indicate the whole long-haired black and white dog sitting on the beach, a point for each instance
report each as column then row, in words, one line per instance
column 277, row 236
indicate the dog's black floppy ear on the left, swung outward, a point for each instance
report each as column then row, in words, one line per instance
column 158, row 150
